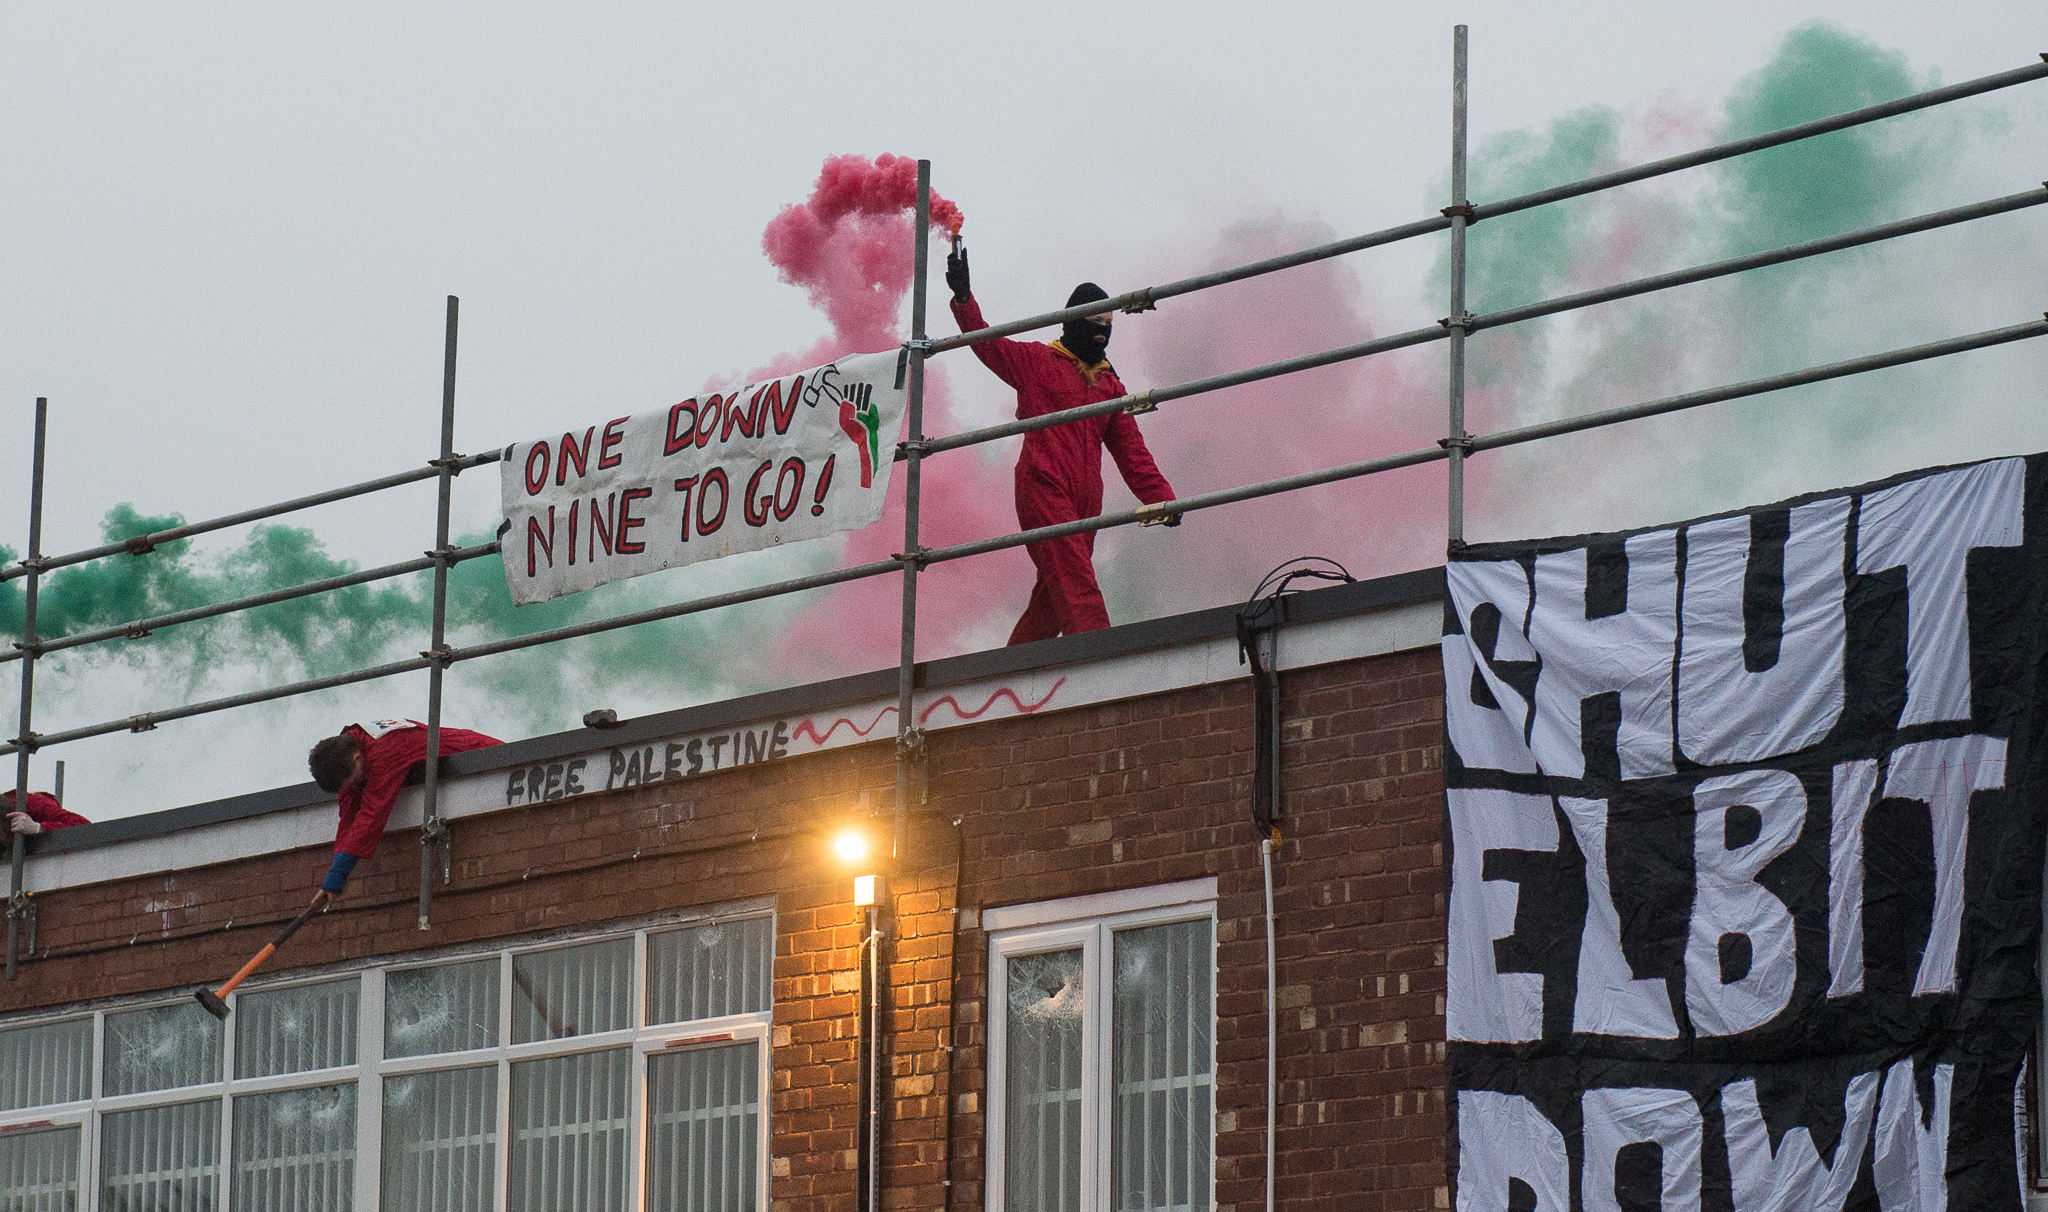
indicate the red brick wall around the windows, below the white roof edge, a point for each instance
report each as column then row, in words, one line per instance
column 1078, row 802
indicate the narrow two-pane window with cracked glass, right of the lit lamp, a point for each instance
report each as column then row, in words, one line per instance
column 1103, row 1051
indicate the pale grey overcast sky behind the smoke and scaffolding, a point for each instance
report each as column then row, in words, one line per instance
column 230, row 228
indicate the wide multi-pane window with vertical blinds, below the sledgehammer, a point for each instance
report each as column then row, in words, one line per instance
column 609, row 1074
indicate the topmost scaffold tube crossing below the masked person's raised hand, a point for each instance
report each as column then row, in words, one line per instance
column 1146, row 298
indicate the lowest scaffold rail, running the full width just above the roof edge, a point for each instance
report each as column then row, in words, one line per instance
column 1101, row 523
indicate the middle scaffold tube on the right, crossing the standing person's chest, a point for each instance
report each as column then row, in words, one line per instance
column 1146, row 400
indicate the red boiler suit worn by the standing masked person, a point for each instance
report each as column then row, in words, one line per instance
column 1060, row 472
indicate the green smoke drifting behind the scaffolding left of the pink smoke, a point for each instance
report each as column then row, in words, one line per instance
column 671, row 662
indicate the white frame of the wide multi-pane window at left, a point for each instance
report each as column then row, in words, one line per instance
column 372, row 1068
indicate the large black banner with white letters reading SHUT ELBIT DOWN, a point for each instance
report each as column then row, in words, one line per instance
column 1746, row 855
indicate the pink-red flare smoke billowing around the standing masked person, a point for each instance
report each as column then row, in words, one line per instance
column 849, row 247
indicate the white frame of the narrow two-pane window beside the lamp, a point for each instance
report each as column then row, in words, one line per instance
column 1086, row 922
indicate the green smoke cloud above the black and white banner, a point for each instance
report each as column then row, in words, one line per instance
column 1756, row 324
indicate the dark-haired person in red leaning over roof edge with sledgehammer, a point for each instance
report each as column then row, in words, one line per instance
column 366, row 767
